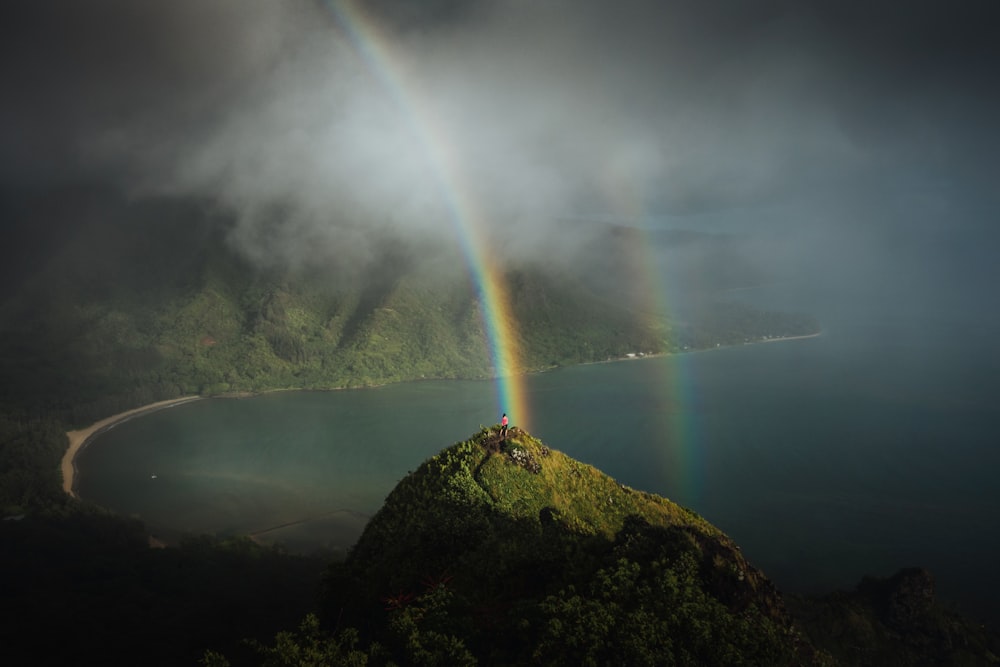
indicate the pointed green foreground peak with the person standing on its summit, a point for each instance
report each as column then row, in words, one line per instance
column 518, row 553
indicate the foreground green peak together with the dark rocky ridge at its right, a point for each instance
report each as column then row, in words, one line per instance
column 510, row 553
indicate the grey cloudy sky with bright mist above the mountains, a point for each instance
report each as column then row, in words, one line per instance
column 862, row 112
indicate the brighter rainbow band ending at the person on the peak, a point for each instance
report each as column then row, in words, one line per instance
column 469, row 222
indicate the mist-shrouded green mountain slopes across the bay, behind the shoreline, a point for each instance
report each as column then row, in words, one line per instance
column 142, row 301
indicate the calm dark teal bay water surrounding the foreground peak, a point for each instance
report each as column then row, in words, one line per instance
column 864, row 450
